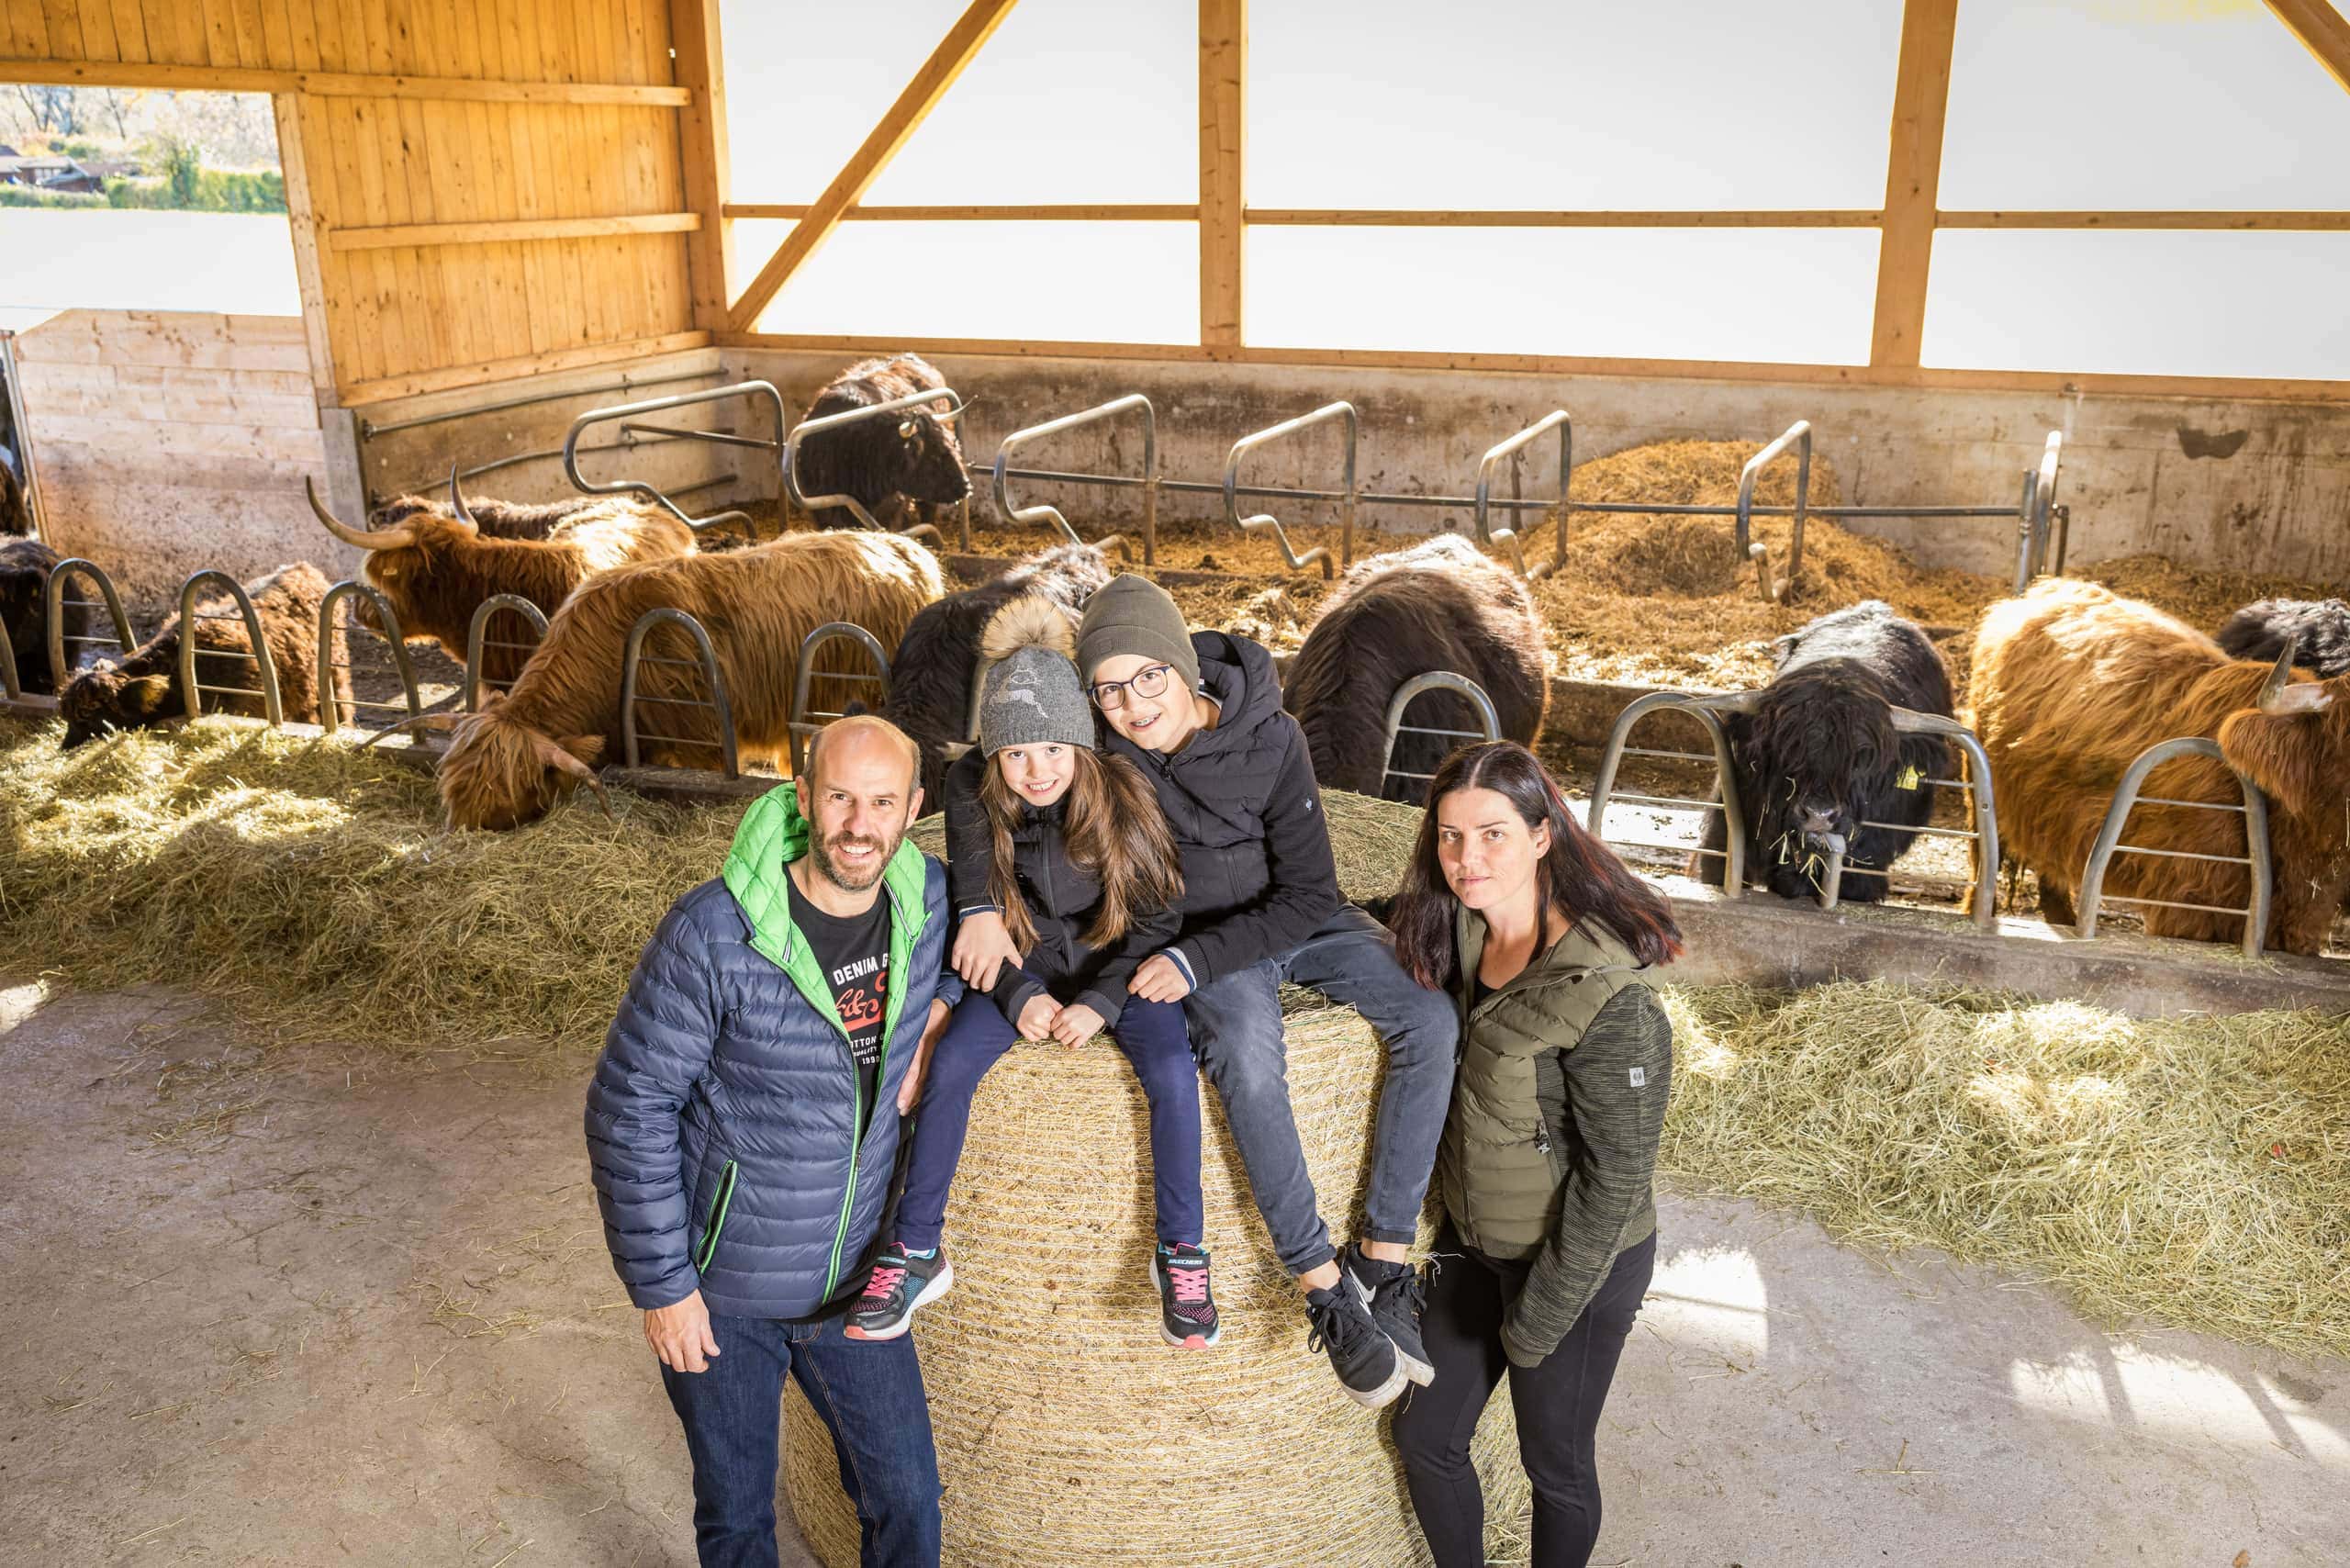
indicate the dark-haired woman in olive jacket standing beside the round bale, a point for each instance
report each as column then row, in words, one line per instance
column 1550, row 951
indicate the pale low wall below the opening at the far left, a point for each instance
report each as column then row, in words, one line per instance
column 175, row 441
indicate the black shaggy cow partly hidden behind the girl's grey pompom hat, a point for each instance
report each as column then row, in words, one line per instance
column 929, row 678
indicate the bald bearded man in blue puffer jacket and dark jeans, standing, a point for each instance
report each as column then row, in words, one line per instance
column 739, row 1155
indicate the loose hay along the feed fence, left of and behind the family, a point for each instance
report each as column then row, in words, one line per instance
column 309, row 887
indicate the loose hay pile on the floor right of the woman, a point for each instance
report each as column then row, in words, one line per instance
column 2189, row 1172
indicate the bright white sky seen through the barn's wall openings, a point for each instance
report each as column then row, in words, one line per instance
column 2072, row 105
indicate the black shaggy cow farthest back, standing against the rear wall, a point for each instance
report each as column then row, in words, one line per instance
column 899, row 469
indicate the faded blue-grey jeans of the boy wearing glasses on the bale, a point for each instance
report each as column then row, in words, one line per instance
column 1237, row 1033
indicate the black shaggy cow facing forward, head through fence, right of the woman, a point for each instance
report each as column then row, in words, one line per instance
column 1818, row 753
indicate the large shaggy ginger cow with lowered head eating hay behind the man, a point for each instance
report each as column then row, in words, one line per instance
column 509, row 763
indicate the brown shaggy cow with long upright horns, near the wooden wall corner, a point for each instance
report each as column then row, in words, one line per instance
column 436, row 568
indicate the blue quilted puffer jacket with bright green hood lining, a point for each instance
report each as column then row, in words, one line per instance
column 723, row 1120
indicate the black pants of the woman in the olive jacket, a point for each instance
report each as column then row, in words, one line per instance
column 1557, row 1402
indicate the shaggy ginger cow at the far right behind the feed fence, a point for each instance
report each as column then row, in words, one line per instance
column 2072, row 683
